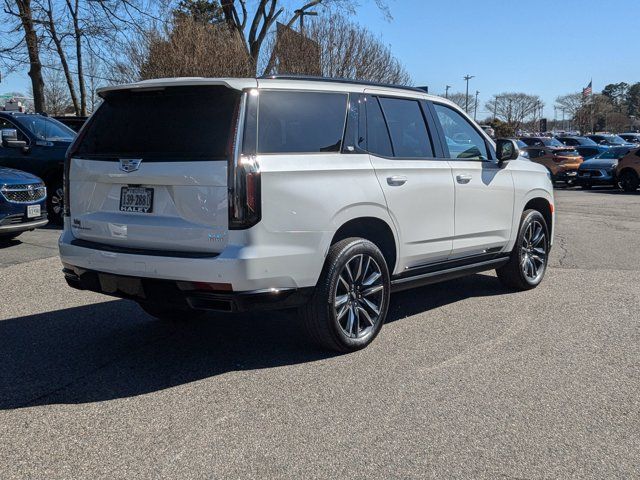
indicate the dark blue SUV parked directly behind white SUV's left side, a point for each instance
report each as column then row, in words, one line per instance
column 37, row 144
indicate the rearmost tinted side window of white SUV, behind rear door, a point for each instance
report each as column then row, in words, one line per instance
column 301, row 122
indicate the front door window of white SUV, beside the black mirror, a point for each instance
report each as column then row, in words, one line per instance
column 462, row 140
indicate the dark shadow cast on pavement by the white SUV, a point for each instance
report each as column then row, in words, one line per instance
column 113, row 350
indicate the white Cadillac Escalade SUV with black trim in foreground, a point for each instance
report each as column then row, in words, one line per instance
column 195, row 194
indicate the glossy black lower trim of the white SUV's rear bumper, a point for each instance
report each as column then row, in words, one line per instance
column 181, row 294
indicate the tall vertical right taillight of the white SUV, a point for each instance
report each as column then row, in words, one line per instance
column 244, row 171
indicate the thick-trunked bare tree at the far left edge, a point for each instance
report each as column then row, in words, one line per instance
column 26, row 31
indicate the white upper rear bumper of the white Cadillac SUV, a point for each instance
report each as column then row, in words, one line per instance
column 254, row 267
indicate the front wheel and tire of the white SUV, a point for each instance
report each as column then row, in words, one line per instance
column 528, row 260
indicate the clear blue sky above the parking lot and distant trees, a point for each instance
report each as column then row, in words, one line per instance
column 542, row 47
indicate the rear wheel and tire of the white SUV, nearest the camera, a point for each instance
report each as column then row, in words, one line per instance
column 350, row 301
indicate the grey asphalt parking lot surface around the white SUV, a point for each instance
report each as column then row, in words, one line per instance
column 466, row 380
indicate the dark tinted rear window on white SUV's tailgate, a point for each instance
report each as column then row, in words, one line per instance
column 190, row 123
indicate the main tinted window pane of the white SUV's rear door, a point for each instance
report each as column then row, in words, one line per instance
column 409, row 134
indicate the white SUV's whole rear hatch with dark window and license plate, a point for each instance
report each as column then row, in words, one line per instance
column 150, row 169
